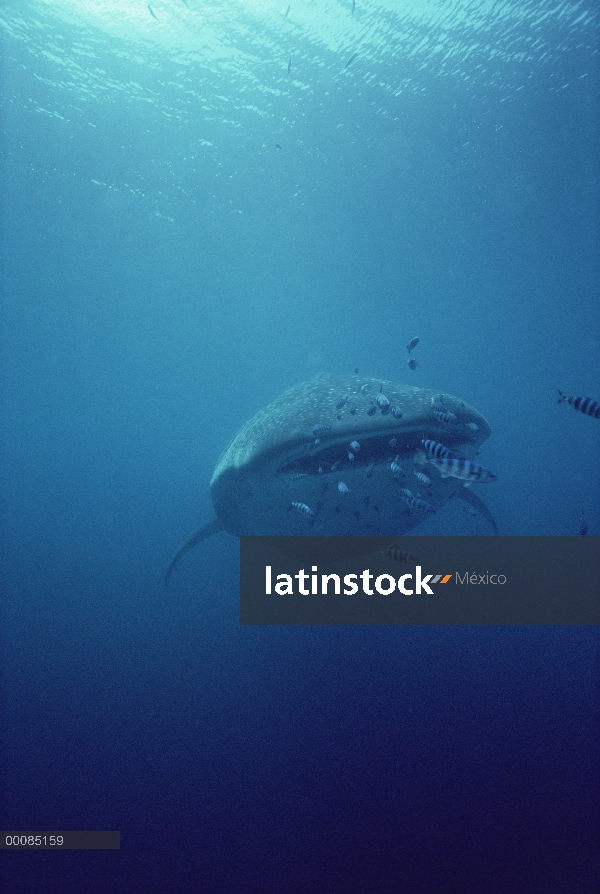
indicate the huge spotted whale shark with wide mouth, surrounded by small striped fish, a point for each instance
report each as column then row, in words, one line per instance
column 275, row 462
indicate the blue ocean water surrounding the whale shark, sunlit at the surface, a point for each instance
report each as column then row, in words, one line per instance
column 202, row 205
